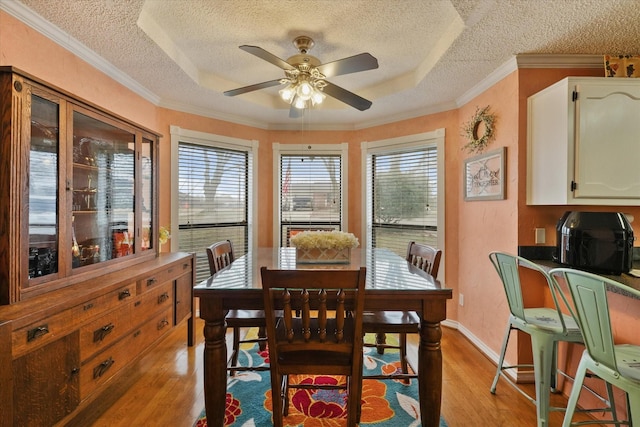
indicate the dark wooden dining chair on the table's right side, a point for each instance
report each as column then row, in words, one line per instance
column 380, row 323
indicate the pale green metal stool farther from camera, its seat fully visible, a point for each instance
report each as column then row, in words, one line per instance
column 545, row 325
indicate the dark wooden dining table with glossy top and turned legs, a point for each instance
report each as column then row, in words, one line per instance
column 392, row 284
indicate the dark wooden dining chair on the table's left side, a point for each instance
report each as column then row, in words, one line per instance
column 221, row 255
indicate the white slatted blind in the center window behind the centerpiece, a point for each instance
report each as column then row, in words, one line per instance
column 310, row 193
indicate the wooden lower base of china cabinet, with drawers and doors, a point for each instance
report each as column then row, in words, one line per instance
column 60, row 351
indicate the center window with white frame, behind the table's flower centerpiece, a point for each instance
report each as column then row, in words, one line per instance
column 310, row 193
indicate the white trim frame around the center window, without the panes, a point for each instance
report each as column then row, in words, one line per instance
column 341, row 149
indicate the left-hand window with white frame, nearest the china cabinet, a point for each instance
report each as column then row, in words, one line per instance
column 214, row 188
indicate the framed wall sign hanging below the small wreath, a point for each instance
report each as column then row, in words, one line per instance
column 484, row 176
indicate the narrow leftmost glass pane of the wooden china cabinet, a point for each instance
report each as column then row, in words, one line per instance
column 43, row 188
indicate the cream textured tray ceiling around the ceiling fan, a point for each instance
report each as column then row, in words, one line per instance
column 183, row 54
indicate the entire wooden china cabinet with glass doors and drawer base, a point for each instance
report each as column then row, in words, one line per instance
column 84, row 292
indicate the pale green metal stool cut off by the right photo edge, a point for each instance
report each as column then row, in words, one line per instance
column 619, row 364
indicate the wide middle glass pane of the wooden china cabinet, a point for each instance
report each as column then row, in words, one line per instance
column 103, row 191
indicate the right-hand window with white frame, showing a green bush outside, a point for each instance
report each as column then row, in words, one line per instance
column 403, row 192
